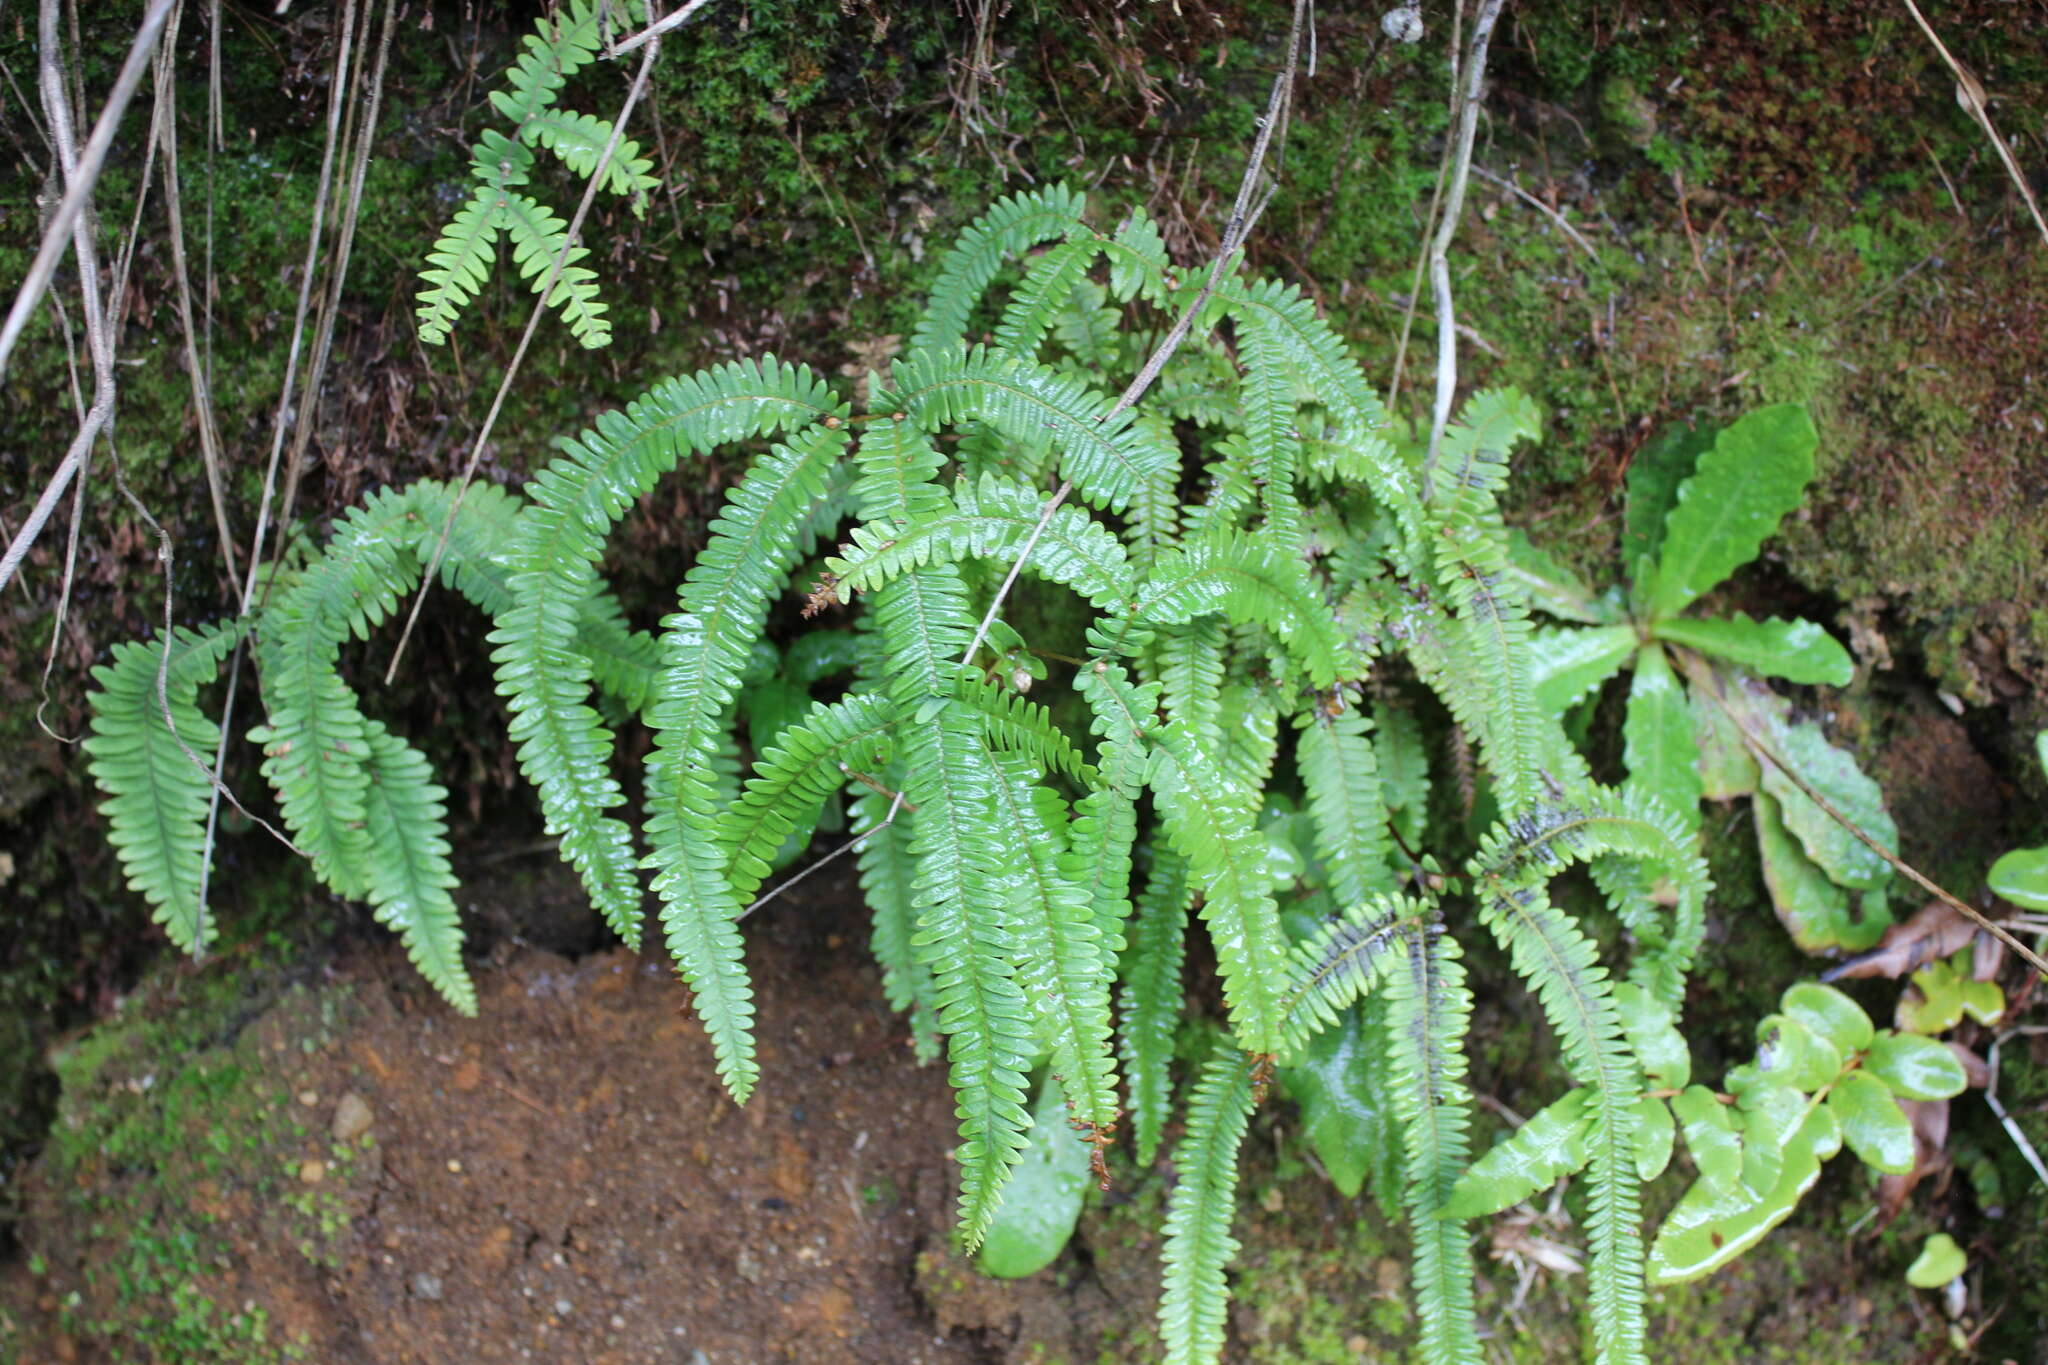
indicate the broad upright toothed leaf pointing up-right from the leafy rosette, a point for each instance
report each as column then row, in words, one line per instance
column 1742, row 488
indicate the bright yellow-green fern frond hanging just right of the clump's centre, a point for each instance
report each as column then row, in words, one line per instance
column 1215, row 828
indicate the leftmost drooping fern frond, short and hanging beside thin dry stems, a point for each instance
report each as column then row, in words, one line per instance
column 155, row 797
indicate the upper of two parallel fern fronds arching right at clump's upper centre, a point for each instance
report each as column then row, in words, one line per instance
column 1031, row 404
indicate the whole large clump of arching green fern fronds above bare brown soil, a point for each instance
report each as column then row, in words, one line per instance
column 1035, row 858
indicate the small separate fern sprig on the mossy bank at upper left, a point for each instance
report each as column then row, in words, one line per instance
column 462, row 259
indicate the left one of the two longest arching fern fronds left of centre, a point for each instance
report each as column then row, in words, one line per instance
column 546, row 680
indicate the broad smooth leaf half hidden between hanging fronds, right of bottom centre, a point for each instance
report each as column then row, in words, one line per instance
column 1347, row 1116
